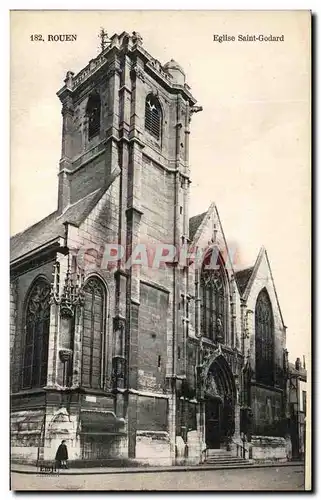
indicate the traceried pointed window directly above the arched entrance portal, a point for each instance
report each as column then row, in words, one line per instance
column 213, row 304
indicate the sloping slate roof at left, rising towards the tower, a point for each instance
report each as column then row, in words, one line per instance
column 52, row 226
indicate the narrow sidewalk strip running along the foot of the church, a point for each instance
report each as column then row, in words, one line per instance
column 33, row 469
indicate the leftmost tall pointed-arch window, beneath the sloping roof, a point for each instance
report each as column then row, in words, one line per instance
column 35, row 362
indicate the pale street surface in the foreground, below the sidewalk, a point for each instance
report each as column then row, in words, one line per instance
column 289, row 478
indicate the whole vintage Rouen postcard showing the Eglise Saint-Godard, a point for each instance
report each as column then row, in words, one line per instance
column 160, row 277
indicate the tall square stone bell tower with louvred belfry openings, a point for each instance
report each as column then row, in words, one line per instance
column 127, row 112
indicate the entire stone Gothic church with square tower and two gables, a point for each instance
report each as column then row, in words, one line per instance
column 132, row 337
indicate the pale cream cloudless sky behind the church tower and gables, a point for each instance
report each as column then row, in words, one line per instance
column 249, row 147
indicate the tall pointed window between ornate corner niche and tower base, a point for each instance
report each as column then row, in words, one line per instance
column 93, row 340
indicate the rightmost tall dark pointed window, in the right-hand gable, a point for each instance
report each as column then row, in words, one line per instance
column 264, row 341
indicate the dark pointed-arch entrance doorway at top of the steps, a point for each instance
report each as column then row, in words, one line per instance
column 220, row 398
